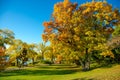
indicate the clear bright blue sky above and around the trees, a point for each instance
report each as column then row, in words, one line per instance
column 25, row 17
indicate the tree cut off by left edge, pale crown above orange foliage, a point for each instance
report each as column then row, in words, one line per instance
column 6, row 37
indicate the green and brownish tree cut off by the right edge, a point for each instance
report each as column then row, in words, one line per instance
column 114, row 44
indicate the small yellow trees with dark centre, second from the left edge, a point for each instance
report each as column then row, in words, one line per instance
column 20, row 52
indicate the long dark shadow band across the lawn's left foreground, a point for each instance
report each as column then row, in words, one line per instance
column 36, row 72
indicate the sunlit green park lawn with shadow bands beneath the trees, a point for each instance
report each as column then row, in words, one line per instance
column 61, row 72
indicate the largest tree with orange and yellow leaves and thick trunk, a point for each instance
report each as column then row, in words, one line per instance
column 82, row 29
